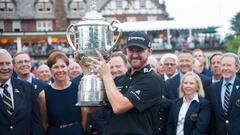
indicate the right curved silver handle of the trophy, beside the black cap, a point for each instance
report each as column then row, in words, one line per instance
column 115, row 26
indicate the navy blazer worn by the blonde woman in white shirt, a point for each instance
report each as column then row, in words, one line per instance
column 197, row 118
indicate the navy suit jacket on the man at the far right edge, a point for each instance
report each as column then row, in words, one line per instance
column 225, row 124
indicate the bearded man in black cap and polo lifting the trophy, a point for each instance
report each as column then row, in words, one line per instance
column 135, row 96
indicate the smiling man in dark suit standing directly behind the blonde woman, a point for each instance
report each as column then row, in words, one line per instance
column 185, row 64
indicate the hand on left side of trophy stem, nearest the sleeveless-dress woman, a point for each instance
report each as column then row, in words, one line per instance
column 81, row 60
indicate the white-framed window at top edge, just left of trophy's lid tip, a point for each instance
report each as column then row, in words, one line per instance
column 77, row 5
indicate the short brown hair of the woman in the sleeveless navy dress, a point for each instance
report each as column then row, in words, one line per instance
column 54, row 56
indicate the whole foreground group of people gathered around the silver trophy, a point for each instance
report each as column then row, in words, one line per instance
column 143, row 97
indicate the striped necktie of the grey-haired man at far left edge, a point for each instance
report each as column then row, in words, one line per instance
column 7, row 100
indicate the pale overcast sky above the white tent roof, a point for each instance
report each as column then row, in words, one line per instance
column 209, row 12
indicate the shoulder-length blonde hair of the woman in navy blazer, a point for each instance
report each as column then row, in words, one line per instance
column 200, row 90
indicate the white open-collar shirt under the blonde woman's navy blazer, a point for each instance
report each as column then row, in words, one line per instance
column 183, row 112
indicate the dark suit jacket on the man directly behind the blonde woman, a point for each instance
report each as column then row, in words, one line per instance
column 172, row 85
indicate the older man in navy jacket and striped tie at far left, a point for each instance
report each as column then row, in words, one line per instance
column 19, row 112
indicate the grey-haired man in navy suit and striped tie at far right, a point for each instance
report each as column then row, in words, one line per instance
column 224, row 97
